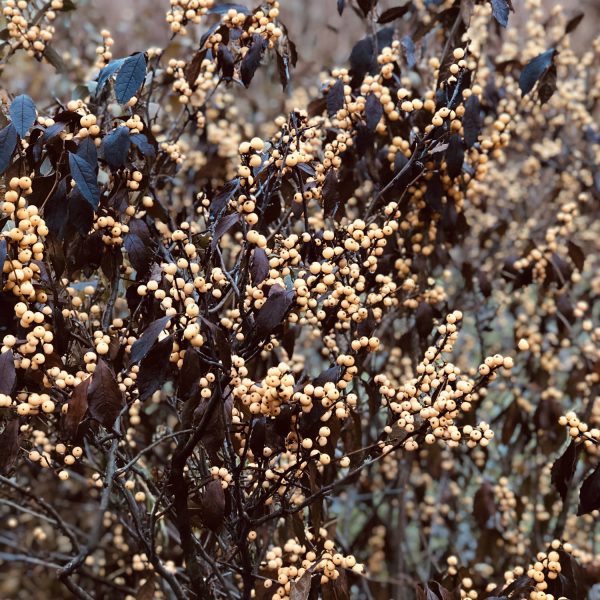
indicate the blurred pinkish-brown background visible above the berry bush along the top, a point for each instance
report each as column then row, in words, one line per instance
column 324, row 39
